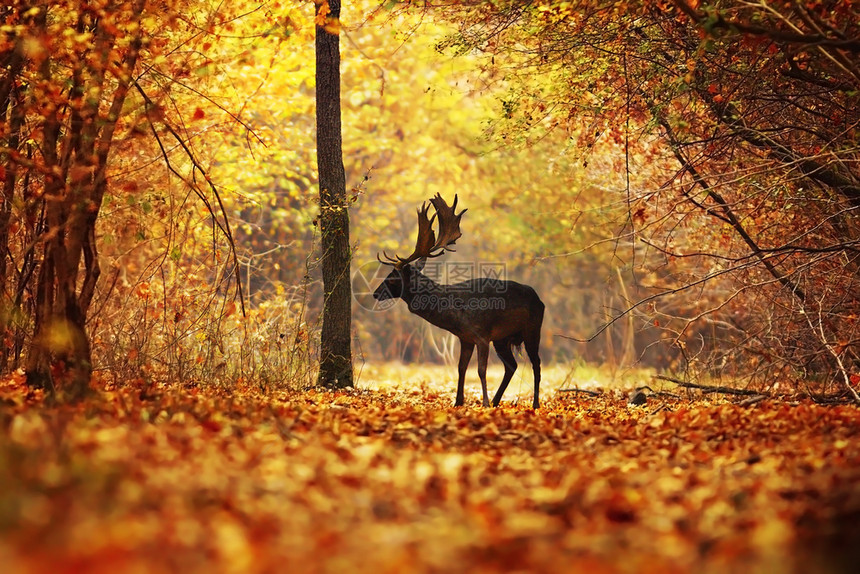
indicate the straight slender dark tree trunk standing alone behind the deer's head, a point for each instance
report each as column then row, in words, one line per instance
column 335, row 344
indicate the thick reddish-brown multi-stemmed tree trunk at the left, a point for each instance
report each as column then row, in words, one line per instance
column 77, row 143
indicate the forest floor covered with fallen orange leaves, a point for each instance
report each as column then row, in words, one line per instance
column 392, row 478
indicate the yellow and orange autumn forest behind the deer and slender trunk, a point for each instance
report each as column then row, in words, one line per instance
column 686, row 175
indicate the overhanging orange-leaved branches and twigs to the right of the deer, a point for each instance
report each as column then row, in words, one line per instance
column 735, row 125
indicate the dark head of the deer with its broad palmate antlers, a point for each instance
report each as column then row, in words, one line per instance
column 426, row 246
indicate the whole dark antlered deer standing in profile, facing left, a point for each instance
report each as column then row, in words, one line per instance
column 478, row 312
